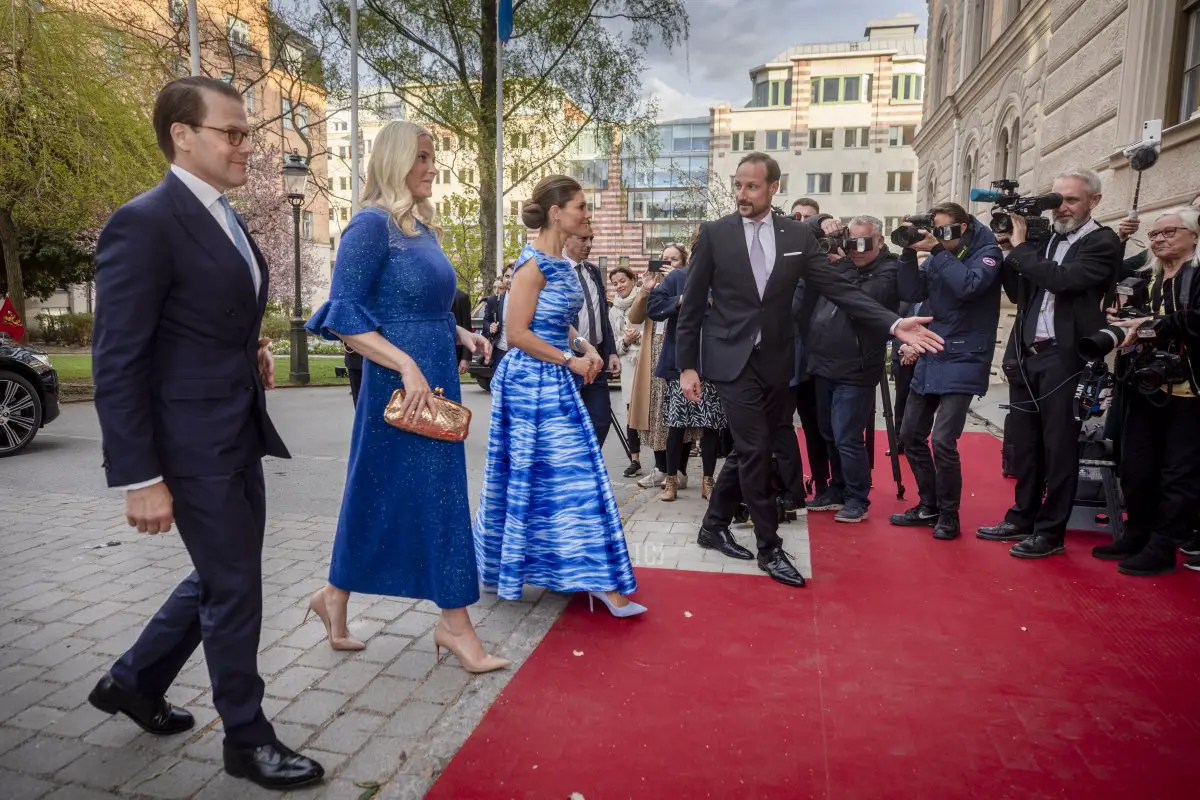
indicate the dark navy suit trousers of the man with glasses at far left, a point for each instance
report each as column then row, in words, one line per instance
column 221, row 521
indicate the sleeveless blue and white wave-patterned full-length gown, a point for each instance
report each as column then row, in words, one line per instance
column 548, row 516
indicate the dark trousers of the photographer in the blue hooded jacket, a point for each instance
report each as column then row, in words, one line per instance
column 939, row 473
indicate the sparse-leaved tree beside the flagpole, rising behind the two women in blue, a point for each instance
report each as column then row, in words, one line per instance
column 572, row 67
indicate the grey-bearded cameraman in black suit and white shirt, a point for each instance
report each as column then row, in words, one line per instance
column 1058, row 286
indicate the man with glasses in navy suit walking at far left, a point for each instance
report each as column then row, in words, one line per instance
column 181, row 377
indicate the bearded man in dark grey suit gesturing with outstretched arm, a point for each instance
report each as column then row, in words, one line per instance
column 748, row 264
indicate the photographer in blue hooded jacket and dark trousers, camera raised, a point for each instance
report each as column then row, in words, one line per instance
column 959, row 287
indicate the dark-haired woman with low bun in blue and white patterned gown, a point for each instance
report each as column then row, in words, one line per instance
column 548, row 516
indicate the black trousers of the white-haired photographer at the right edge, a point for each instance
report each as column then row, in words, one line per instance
column 1161, row 466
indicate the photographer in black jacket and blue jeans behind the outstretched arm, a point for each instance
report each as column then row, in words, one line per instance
column 847, row 360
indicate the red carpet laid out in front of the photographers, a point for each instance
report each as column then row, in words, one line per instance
column 910, row 669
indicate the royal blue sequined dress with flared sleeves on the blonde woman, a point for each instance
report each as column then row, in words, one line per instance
column 405, row 526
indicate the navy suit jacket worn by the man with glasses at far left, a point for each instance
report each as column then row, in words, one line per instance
column 176, row 344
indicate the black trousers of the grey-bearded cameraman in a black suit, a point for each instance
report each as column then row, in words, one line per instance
column 1046, row 446
